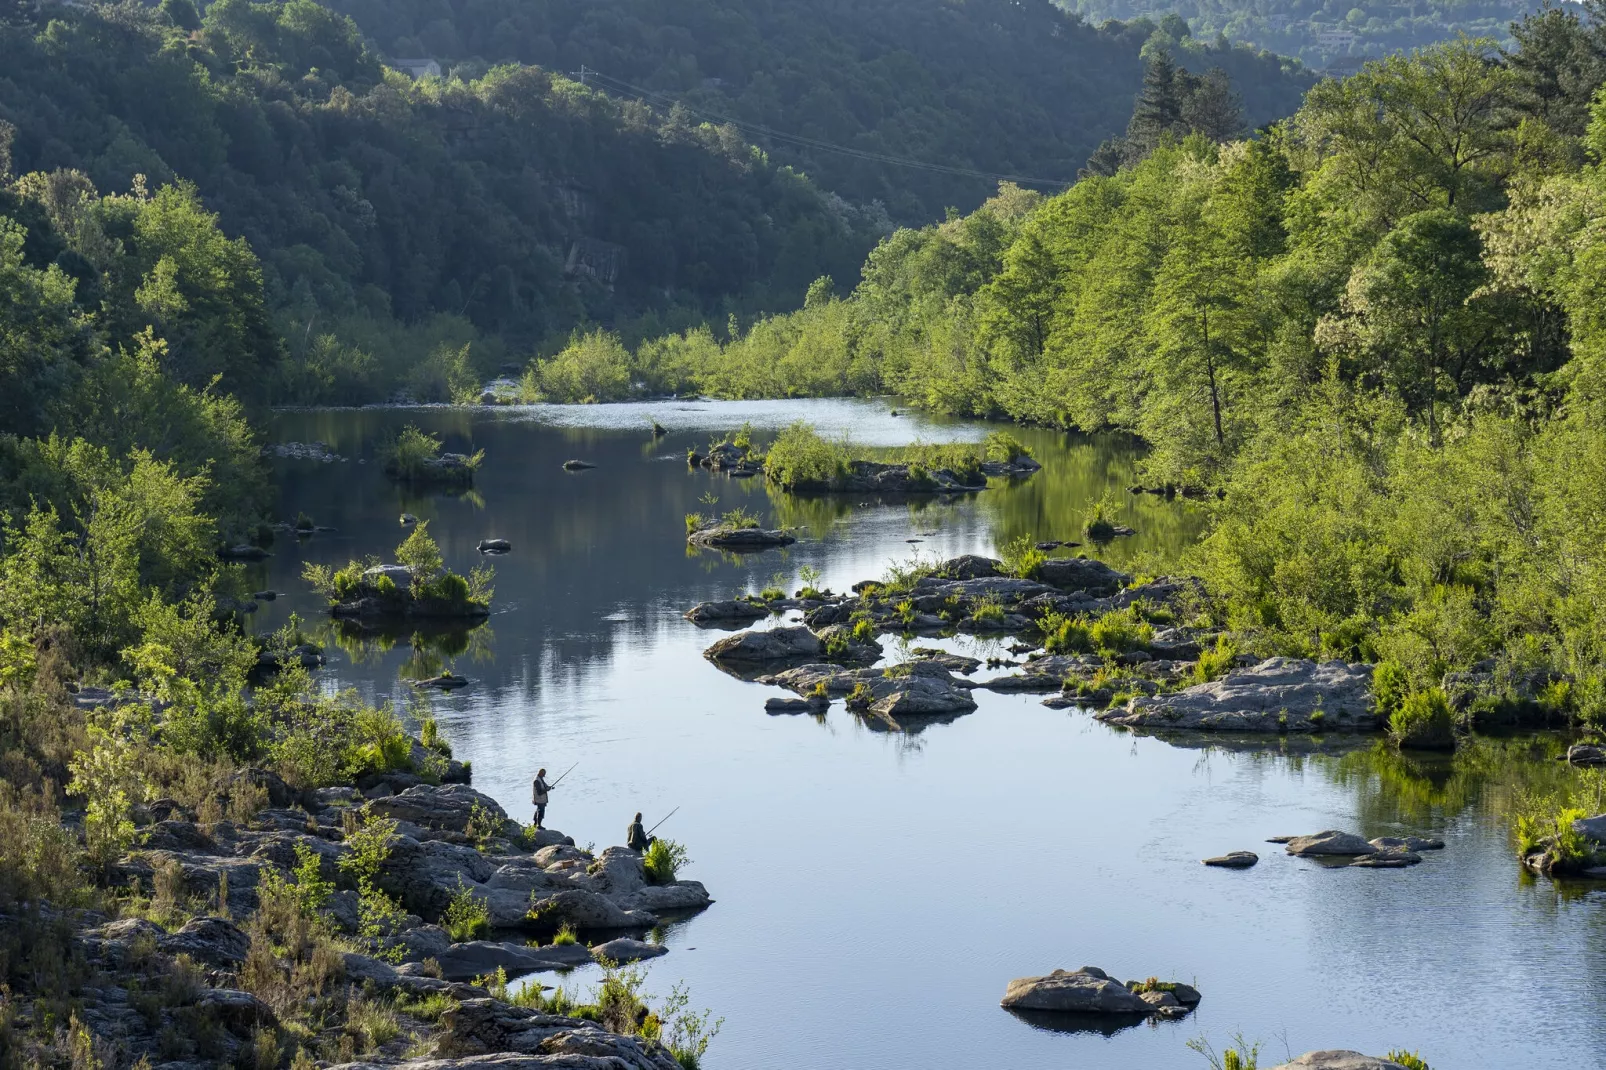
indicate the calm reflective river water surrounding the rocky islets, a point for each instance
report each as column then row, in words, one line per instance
column 876, row 892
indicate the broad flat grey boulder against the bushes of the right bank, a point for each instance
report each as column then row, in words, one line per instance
column 1279, row 695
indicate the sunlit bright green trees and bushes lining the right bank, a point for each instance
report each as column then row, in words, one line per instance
column 1377, row 332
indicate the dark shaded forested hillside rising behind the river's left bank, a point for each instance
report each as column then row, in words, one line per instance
column 505, row 210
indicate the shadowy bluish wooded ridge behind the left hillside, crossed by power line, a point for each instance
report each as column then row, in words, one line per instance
column 997, row 86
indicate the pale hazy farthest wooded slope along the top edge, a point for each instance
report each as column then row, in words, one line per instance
column 1321, row 33
